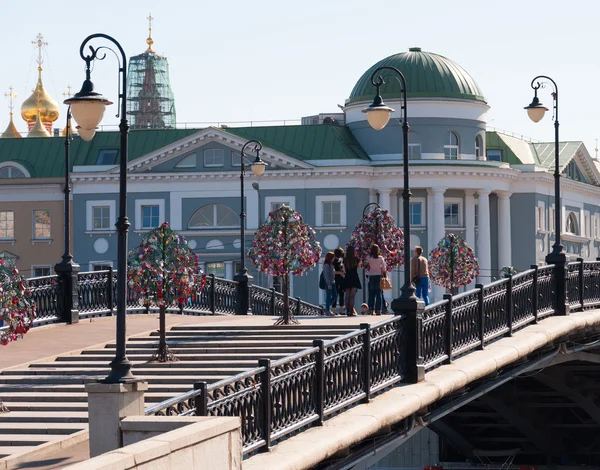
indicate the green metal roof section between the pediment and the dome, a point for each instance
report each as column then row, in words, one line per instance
column 313, row 142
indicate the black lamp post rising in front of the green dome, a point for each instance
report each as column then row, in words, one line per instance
column 378, row 115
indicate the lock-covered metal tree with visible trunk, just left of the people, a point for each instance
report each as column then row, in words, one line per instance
column 285, row 245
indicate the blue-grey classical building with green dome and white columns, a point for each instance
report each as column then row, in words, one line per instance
column 493, row 189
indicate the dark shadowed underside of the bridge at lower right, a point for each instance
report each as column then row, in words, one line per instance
column 550, row 415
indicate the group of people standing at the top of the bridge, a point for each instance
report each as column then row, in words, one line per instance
column 341, row 280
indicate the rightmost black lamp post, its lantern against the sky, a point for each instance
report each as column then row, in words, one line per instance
column 558, row 256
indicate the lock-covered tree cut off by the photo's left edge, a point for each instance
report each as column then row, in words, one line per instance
column 17, row 307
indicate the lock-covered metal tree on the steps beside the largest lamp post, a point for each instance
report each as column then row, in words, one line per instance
column 164, row 271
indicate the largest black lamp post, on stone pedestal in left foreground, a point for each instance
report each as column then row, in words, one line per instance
column 88, row 108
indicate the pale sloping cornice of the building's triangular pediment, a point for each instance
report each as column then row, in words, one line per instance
column 153, row 161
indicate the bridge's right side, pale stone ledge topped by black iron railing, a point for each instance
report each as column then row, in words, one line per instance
column 328, row 406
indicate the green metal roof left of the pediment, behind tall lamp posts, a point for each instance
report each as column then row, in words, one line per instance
column 44, row 157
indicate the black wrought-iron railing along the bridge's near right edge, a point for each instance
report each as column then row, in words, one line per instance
column 280, row 398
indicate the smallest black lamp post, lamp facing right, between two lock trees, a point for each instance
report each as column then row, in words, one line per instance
column 243, row 278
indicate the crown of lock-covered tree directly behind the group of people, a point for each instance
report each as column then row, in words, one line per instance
column 380, row 228
